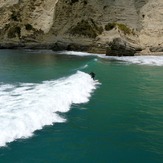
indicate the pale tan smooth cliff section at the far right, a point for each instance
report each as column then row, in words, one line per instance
column 151, row 34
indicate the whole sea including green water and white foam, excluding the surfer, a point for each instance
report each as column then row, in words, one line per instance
column 52, row 111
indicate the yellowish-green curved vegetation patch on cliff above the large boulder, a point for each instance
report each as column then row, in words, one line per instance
column 124, row 28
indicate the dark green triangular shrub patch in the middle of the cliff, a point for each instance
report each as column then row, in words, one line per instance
column 87, row 29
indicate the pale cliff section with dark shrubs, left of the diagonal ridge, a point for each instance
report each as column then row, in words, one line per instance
column 24, row 19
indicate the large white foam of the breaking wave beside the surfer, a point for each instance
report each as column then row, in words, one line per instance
column 26, row 108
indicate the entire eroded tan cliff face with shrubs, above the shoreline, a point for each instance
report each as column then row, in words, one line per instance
column 73, row 24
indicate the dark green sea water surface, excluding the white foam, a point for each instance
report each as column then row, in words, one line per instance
column 121, row 123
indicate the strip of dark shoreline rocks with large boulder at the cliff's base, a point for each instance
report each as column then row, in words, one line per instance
column 115, row 48
